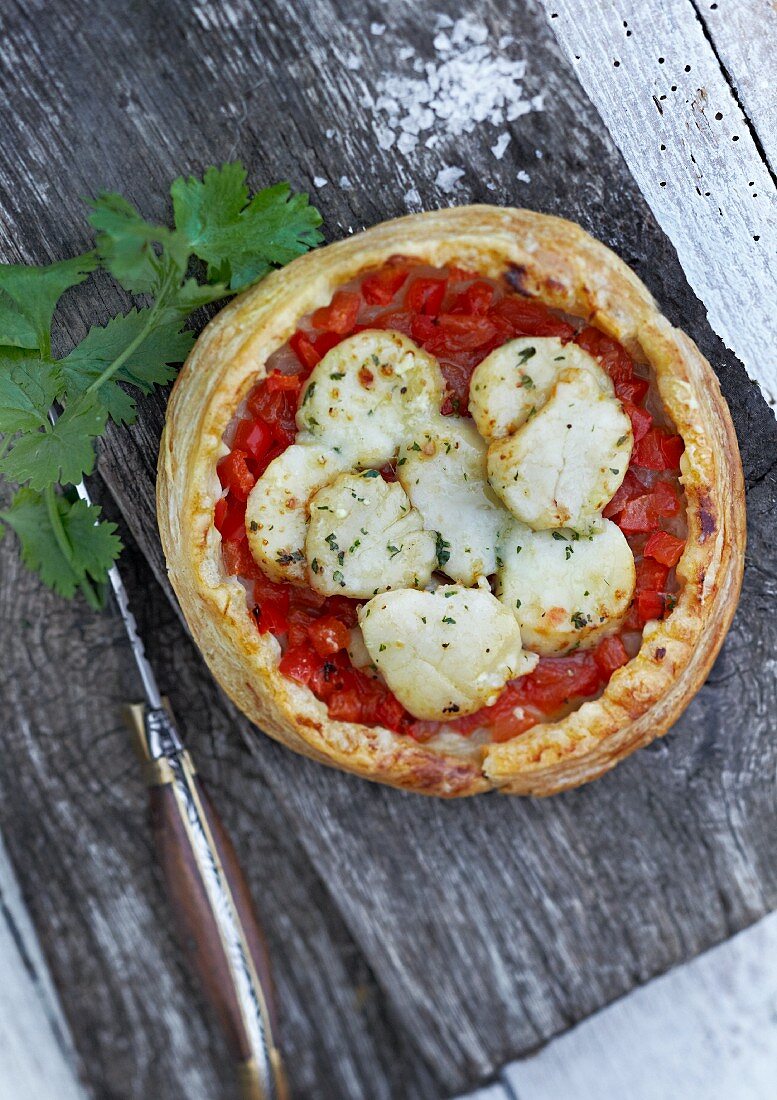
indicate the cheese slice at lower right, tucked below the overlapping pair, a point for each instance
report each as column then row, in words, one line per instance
column 566, row 590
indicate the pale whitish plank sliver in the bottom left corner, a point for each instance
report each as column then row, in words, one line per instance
column 37, row 1057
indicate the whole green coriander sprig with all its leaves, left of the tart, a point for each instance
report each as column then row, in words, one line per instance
column 223, row 240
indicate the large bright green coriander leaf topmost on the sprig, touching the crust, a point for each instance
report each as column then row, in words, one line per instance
column 243, row 240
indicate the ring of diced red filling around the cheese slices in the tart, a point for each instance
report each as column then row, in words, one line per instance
column 459, row 318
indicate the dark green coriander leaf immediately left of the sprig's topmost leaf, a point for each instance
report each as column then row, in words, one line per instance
column 127, row 245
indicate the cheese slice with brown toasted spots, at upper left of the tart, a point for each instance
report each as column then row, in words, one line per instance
column 368, row 395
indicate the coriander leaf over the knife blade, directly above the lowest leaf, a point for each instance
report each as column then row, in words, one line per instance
column 63, row 453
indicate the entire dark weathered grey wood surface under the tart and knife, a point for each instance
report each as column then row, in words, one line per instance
column 418, row 945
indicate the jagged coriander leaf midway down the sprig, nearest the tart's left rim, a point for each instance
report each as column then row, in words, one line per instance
column 150, row 365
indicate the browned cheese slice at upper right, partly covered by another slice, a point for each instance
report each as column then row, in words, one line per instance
column 517, row 380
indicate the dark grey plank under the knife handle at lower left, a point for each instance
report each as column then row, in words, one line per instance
column 73, row 810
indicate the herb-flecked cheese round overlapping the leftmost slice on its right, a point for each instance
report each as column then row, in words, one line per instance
column 365, row 538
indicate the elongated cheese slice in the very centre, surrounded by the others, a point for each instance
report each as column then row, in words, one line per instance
column 443, row 470
